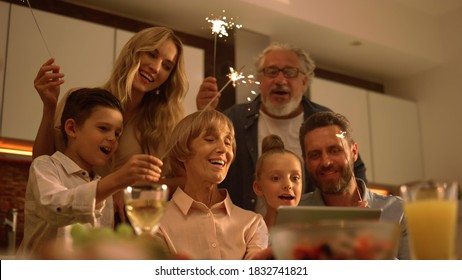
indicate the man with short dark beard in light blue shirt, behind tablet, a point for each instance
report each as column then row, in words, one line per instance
column 329, row 152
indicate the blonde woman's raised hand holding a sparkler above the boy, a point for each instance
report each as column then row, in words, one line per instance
column 48, row 82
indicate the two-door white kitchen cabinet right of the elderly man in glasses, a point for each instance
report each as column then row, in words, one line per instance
column 386, row 128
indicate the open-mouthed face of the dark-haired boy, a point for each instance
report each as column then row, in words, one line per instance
column 95, row 141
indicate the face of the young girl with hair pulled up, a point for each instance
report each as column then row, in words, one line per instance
column 280, row 180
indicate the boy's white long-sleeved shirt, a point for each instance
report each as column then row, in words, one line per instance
column 59, row 193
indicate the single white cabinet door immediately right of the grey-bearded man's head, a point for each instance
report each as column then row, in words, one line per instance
column 352, row 103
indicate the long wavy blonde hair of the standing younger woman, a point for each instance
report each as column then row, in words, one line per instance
column 160, row 112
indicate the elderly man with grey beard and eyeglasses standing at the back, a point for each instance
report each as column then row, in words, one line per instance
column 285, row 73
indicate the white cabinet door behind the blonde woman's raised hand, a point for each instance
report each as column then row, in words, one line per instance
column 83, row 50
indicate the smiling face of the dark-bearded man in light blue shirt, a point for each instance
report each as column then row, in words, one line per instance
column 329, row 166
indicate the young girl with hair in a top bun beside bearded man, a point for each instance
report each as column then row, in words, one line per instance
column 278, row 177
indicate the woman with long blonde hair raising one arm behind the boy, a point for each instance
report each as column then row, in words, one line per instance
column 149, row 80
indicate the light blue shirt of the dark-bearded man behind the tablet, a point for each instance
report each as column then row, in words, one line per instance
column 392, row 210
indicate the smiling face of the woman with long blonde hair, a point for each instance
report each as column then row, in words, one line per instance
column 155, row 67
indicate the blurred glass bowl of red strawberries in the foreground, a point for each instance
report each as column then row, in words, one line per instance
column 336, row 240
